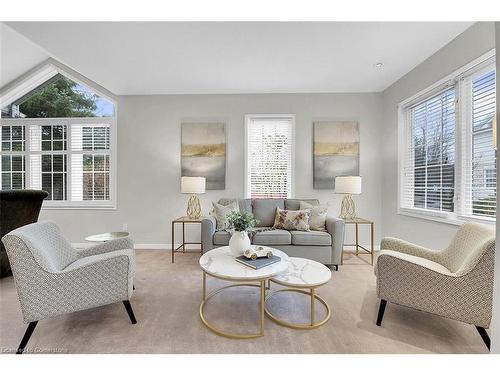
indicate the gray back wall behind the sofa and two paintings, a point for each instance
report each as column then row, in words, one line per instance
column 149, row 157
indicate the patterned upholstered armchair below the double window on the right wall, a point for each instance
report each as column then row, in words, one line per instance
column 456, row 282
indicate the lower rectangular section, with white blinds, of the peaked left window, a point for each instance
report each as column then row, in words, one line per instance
column 70, row 158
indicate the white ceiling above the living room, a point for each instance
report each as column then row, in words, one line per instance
column 139, row 58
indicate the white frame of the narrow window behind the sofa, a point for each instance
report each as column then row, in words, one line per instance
column 248, row 119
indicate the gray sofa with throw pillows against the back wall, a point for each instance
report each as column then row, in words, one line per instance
column 323, row 247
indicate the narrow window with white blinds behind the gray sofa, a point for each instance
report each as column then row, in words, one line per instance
column 269, row 156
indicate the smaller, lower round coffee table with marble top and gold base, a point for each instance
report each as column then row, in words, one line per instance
column 302, row 274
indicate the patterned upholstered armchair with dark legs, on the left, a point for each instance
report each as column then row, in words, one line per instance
column 52, row 278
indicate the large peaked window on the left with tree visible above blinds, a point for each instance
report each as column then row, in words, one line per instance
column 58, row 137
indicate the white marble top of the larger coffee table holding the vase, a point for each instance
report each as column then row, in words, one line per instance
column 221, row 263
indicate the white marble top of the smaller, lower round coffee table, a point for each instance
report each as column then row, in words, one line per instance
column 304, row 273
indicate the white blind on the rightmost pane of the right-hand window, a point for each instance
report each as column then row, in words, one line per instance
column 479, row 169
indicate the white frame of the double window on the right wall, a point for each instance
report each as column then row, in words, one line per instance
column 462, row 146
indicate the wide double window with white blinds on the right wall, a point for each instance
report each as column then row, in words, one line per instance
column 448, row 163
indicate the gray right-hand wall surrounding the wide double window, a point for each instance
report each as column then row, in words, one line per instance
column 475, row 41
